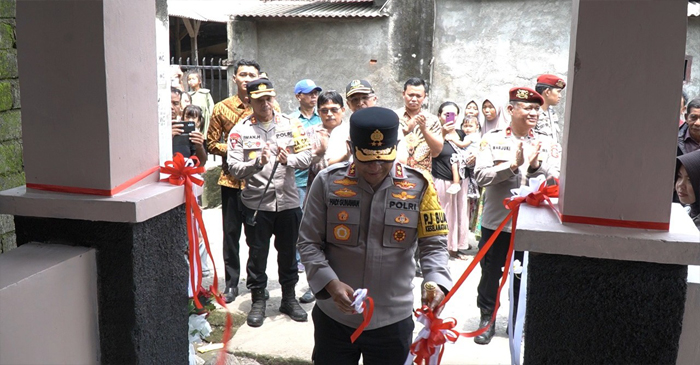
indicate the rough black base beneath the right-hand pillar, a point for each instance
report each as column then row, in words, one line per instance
column 594, row 311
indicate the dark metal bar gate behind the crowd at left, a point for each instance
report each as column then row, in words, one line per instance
column 214, row 75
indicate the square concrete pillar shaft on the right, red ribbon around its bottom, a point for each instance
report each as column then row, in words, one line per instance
column 625, row 79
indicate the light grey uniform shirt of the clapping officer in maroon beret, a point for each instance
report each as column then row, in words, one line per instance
column 492, row 169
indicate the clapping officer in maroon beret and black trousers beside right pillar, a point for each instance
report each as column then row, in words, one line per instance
column 506, row 159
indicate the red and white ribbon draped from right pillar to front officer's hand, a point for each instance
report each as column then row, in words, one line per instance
column 441, row 330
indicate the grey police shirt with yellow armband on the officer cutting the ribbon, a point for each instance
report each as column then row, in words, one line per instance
column 366, row 239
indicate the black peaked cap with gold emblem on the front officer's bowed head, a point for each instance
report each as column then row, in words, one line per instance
column 374, row 134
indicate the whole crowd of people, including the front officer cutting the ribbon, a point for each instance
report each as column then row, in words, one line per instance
column 375, row 201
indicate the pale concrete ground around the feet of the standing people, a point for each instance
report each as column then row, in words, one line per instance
column 282, row 337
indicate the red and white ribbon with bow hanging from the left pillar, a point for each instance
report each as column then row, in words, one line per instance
column 182, row 173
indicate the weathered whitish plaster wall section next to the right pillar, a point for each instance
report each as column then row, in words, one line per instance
column 483, row 48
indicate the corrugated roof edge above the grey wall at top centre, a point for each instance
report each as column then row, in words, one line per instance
column 316, row 9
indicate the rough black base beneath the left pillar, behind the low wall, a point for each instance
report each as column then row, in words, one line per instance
column 142, row 282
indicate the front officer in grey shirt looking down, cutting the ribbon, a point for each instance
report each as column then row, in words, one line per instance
column 362, row 222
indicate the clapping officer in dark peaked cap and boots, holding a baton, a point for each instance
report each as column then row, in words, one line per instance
column 251, row 145
